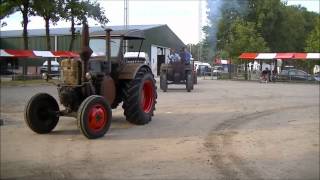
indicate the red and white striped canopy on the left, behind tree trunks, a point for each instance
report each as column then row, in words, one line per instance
column 36, row 54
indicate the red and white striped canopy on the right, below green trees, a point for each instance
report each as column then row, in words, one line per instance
column 283, row 56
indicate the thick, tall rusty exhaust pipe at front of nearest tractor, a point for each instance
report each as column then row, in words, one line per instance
column 86, row 51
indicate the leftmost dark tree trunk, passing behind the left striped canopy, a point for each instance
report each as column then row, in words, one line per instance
column 25, row 33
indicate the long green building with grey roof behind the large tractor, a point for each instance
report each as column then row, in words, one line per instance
column 159, row 39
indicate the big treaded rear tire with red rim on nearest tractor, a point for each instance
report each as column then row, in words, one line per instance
column 140, row 97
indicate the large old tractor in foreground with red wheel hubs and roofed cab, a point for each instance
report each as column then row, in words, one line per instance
column 90, row 87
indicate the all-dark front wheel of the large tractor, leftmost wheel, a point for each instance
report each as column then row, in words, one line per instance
column 42, row 113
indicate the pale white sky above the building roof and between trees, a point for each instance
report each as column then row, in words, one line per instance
column 182, row 16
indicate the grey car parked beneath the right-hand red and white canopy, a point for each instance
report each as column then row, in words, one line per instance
column 295, row 74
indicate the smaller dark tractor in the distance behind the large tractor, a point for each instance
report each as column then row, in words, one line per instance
column 176, row 73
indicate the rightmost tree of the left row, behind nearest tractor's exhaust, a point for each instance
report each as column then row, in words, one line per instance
column 77, row 11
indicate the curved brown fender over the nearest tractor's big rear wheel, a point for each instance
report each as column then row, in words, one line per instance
column 129, row 71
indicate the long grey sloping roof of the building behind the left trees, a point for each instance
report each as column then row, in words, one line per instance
column 66, row 31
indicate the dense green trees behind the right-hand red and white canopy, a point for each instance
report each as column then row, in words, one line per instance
column 260, row 26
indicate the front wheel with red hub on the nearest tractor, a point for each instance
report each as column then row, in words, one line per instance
column 94, row 117
